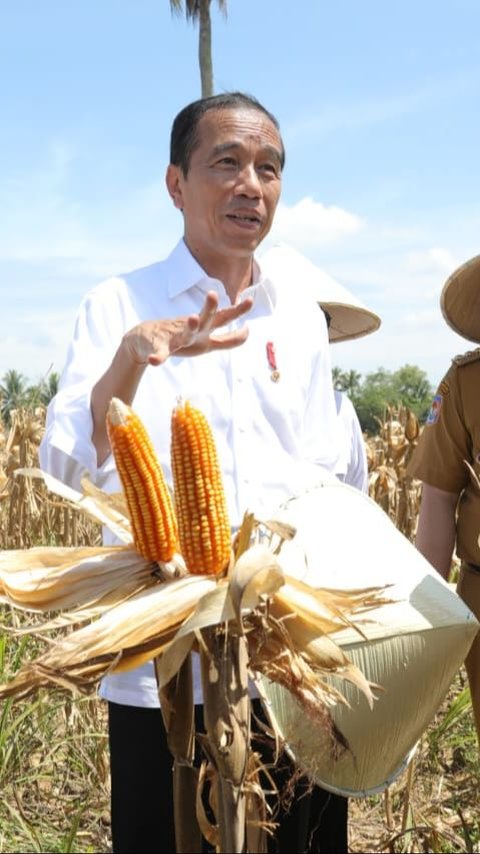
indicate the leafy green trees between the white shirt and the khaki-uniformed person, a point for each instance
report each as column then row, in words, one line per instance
column 372, row 394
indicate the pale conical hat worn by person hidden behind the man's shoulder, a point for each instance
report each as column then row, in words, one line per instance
column 349, row 318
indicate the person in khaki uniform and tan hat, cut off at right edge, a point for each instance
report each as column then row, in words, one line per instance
column 447, row 460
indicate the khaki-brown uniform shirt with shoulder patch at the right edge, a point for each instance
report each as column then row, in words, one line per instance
column 450, row 440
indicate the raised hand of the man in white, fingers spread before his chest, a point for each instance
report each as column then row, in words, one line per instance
column 153, row 341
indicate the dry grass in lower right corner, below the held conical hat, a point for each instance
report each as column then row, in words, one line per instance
column 433, row 805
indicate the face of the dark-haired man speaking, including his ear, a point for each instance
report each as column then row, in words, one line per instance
column 231, row 191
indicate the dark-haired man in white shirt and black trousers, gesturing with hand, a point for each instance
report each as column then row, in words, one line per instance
column 265, row 388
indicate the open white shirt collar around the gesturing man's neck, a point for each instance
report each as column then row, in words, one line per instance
column 187, row 273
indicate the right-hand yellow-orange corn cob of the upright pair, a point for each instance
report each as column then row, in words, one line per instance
column 203, row 525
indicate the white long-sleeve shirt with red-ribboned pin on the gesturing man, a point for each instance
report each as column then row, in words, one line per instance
column 274, row 439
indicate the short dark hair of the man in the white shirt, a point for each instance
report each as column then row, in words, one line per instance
column 184, row 135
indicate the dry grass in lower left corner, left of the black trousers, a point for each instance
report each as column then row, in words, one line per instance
column 54, row 776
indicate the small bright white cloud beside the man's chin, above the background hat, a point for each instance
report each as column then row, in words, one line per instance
column 310, row 223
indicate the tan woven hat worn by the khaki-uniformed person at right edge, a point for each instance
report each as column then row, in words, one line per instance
column 460, row 300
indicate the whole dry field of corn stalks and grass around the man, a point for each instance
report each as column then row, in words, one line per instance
column 53, row 759
